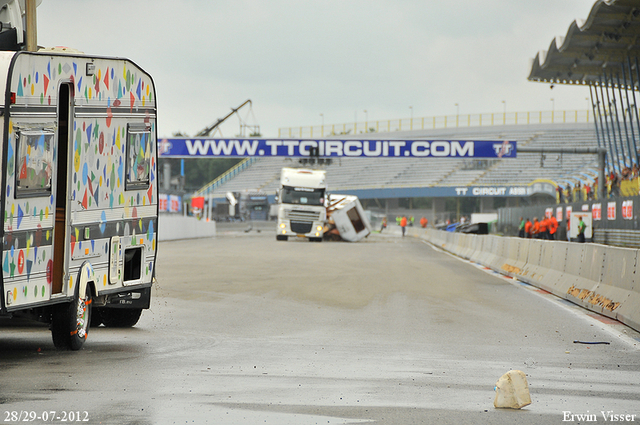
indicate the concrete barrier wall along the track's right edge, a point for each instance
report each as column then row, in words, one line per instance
column 601, row 278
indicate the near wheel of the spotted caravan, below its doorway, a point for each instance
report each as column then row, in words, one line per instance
column 70, row 322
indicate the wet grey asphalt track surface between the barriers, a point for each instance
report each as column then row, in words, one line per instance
column 247, row 330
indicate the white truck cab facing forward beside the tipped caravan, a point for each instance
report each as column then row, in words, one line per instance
column 302, row 204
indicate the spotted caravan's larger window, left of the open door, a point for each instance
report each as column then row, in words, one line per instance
column 34, row 162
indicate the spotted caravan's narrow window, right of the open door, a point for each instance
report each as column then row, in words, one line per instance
column 138, row 158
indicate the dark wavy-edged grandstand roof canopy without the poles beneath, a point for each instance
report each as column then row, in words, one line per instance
column 607, row 40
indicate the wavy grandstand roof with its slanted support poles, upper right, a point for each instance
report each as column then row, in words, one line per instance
column 602, row 53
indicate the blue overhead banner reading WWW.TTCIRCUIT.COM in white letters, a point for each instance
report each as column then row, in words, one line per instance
column 328, row 148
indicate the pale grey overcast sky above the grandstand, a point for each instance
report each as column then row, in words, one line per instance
column 297, row 59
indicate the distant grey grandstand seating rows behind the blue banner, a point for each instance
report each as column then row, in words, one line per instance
column 387, row 175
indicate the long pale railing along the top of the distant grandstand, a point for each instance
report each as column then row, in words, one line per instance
column 432, row 123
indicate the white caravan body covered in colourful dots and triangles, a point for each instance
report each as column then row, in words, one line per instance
column 79, row 197
